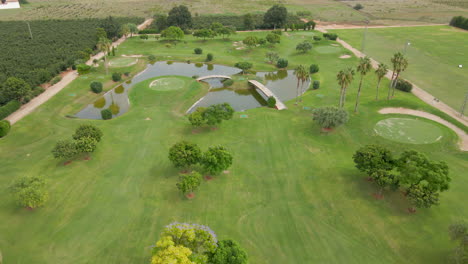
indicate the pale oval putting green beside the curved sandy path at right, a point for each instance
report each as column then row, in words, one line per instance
column 406, row 130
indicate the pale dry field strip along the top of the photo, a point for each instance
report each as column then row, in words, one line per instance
column 378, row 11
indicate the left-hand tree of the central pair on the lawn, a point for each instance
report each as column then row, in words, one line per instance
column 184, row 154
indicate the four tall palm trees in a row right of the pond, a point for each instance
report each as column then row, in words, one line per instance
column 346, row 76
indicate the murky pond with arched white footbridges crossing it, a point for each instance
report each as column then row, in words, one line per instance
column 282, row 83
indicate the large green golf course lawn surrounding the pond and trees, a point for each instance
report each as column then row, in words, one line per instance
column 292, row 194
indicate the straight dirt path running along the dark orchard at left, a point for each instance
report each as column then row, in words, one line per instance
column 66, row 80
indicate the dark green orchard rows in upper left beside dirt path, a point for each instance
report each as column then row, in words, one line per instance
column 54, row 48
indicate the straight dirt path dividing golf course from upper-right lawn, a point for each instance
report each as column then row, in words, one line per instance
column 423, row 95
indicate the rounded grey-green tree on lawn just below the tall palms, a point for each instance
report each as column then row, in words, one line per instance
column 329, row 117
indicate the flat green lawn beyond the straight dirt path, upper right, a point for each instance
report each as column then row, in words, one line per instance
column 434, row 55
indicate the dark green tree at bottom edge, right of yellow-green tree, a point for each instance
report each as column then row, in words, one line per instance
column 228, row 252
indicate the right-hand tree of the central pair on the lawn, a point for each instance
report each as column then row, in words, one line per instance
column 216, row 159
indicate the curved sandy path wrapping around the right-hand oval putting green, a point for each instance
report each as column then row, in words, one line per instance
column 463, row 137
